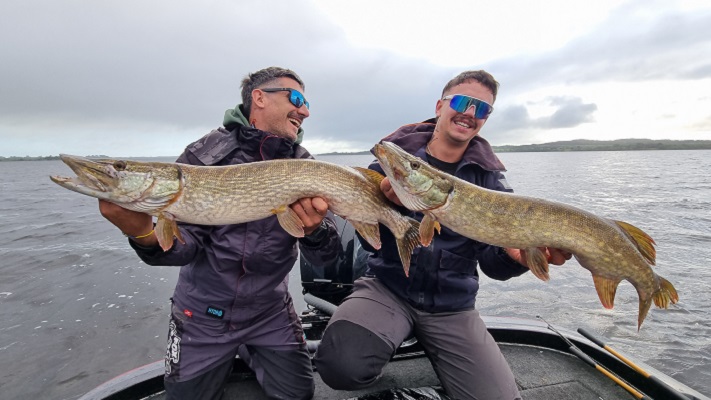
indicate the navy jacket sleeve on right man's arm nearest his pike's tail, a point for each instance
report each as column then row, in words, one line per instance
column 493, row 260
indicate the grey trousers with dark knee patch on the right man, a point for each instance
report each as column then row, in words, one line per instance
column 372, row 322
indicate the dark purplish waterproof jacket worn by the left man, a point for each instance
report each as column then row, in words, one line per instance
column 239, row 270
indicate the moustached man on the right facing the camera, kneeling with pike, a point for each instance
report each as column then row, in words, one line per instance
column 435, row 303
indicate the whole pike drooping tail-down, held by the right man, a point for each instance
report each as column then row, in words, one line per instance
column 610, row 250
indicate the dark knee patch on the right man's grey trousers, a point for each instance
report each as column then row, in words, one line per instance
column 351, row 357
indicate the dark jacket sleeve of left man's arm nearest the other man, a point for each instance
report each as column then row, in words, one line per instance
column 323, row 245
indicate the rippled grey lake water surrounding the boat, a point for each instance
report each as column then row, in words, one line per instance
column 77, row 306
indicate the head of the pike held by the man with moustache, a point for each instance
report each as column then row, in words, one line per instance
column 419, row 186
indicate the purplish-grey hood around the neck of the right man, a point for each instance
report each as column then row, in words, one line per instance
column 416, row 136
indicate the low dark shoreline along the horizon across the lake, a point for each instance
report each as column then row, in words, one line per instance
column 561, row 146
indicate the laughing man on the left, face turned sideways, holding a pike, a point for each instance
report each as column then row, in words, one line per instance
column 232, row 293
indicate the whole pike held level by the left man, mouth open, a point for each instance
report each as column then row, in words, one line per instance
column 222, row 195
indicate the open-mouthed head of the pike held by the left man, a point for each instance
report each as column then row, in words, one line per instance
column 137, row 186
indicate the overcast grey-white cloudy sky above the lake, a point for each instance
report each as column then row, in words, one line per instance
column 145, row 78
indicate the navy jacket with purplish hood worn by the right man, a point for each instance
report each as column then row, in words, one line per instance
column 444, row 277
